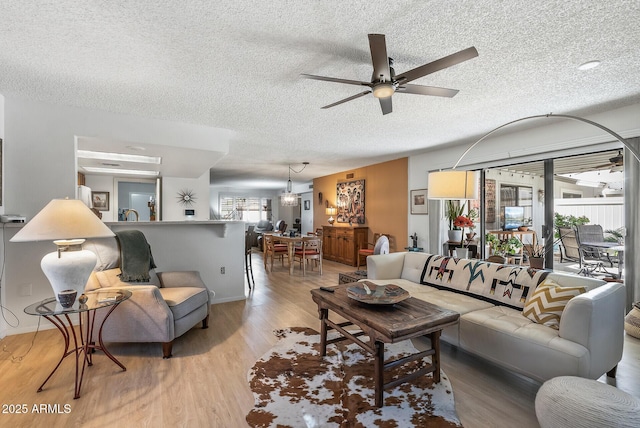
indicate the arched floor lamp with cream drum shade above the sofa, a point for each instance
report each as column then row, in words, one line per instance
column 455, row 184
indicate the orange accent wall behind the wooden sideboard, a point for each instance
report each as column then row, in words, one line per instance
column 386, row 199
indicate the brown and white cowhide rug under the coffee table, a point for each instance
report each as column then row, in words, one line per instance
column 294, row 387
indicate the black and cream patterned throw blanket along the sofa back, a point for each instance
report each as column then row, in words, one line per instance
column 505, row 285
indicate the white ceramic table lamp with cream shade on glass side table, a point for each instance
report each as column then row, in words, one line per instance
column 67, row 222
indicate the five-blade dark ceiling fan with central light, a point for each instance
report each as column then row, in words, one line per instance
column 384, row 82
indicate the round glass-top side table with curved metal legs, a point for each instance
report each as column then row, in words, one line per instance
column 83, row 341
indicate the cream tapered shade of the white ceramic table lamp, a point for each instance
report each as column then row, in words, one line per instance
column 63, row 219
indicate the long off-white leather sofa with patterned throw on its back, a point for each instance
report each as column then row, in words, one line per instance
column 588, row 342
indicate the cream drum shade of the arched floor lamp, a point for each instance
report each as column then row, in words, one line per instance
column 453, row 185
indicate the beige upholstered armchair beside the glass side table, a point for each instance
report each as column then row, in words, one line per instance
column 165, row 307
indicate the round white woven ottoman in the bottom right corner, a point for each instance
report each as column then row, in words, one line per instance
column 569, row 401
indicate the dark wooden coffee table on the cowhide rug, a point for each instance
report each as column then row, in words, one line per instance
column 384, row 324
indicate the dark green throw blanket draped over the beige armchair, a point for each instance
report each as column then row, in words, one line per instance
column 135, row 256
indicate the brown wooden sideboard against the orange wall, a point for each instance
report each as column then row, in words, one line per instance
column 341, row 244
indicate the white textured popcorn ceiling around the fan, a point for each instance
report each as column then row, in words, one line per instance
column 236, row 65
